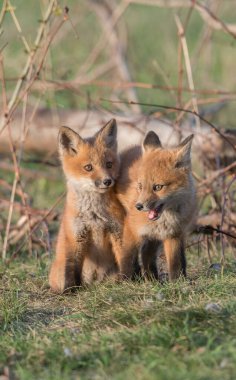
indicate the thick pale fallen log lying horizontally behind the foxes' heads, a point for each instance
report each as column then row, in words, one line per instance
column 42, row 126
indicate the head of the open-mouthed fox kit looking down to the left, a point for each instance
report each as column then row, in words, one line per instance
column 164, row 176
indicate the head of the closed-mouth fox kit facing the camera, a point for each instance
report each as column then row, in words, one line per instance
column 92, row 163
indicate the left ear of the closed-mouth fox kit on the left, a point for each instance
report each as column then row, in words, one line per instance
column 68, row 141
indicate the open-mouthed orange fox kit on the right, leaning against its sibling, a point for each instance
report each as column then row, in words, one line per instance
column 156, row 188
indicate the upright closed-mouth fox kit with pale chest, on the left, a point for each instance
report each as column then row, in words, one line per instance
column 89, row 241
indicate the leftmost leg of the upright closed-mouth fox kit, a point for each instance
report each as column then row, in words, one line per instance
column 66, row 269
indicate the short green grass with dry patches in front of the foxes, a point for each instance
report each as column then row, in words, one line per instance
column 118, row 331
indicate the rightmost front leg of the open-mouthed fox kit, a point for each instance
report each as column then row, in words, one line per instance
column 175, row 257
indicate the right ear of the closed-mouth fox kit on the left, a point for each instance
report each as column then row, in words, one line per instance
column 108, row 135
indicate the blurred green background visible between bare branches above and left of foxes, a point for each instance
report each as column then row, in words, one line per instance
column 149, row 42
